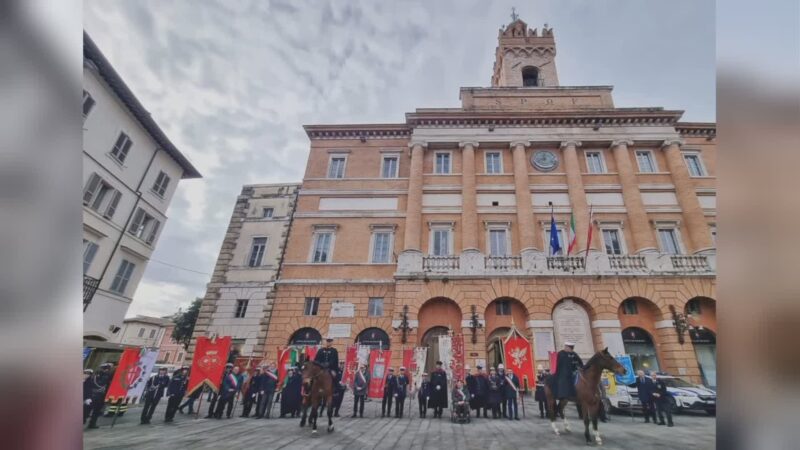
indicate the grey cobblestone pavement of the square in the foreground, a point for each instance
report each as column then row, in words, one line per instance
column 690, row 432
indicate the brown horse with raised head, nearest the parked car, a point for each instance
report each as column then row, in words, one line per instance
column 588, row 396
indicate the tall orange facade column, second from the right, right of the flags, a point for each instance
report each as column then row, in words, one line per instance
column 643, row 236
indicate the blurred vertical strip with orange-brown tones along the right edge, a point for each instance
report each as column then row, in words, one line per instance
column 758, row 82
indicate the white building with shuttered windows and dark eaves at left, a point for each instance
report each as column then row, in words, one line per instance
column 130, row 172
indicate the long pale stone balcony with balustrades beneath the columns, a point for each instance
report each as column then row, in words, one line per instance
column 472, row 263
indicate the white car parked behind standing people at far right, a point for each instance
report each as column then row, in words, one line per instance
column 685, row 396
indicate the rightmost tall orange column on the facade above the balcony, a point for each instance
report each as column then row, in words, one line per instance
column 696, row 224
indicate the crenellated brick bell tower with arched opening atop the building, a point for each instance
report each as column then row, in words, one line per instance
column 525, row 58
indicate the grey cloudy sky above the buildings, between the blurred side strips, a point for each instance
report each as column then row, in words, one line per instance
column 232, row 83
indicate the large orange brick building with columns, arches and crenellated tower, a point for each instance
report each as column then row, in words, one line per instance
column 403, row 232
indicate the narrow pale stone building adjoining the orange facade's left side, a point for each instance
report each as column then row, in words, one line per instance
column 239, row 298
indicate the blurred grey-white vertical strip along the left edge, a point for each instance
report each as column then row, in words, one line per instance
column 40, row 224
